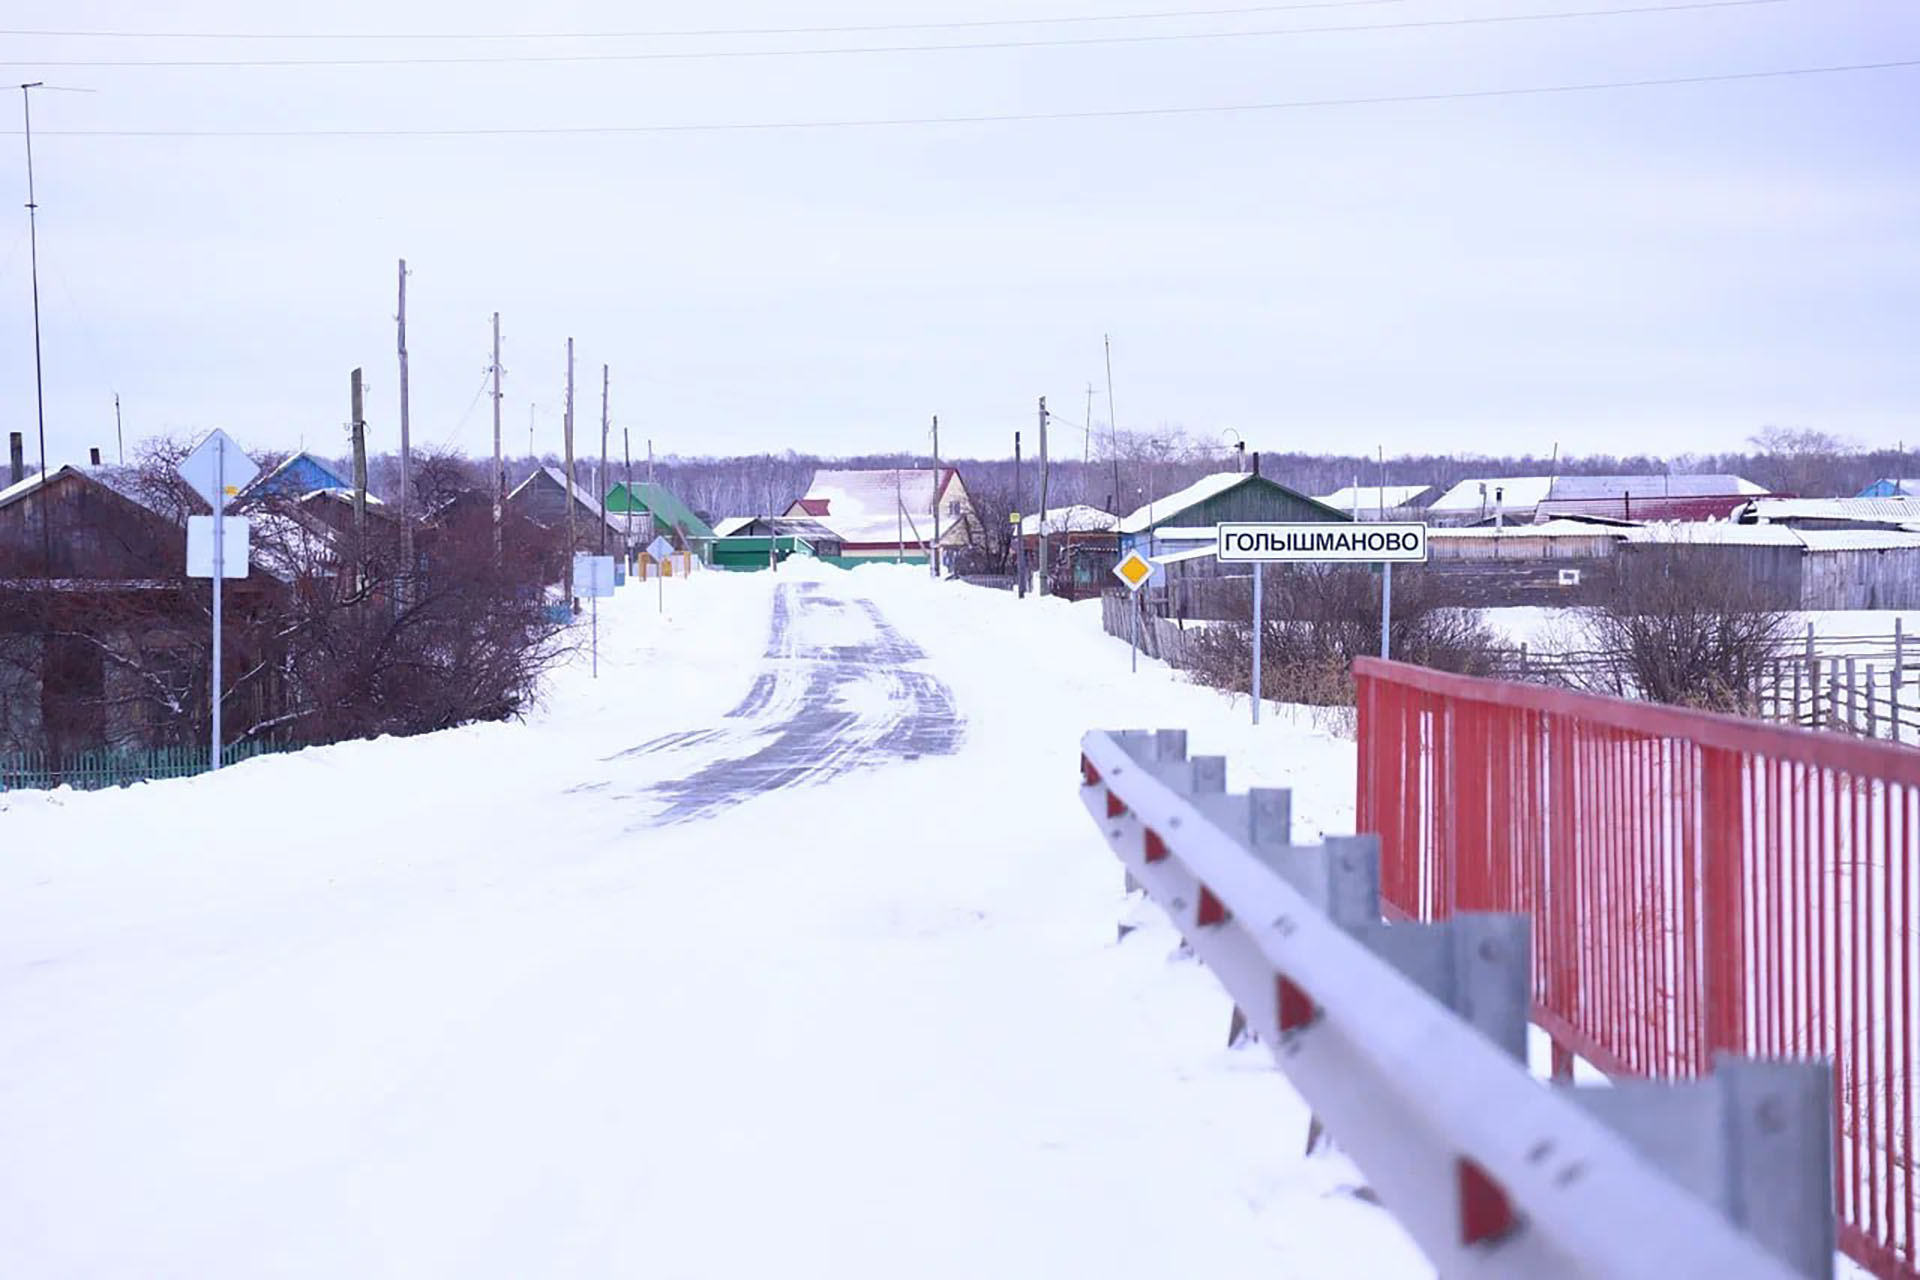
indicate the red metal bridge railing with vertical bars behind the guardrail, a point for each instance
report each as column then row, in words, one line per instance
column 1698, row 884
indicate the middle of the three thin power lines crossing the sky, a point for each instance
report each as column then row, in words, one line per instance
column 1164, row 37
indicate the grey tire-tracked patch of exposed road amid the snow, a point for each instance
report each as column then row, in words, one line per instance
column 838, row 694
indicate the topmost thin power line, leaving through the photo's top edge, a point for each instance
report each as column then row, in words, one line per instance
column 708, row 34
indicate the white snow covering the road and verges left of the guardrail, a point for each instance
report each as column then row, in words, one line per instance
column 466, row 1007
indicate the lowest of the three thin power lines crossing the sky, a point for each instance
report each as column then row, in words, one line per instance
column 1297, row 105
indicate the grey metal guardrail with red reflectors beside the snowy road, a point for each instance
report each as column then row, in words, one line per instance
column 1408, row 1041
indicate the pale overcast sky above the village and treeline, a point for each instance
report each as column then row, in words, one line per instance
column 1664, row 268
